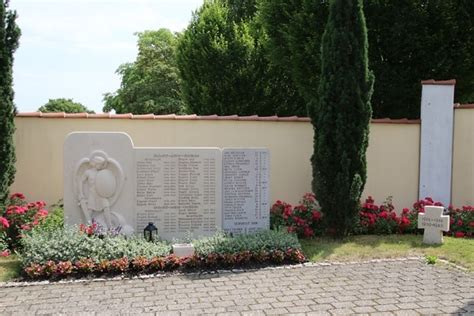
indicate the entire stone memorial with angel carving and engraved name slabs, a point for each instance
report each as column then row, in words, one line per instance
column 183, row 191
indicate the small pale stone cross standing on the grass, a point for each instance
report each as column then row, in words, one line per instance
column 434, row 223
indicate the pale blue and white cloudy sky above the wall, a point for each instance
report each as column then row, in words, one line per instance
column 72, row 48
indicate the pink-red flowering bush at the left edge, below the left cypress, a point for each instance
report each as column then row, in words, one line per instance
column 19, row 217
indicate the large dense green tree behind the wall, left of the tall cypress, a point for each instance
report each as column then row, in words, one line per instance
column 223, row 62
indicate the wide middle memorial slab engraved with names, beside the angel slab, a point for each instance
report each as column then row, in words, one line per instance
column 179, row 190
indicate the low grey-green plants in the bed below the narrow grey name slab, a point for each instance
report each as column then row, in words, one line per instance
column 260, row 241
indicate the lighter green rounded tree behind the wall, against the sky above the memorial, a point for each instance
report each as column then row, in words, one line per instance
column 151, row 84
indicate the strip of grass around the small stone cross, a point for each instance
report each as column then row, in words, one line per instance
column 455, row 250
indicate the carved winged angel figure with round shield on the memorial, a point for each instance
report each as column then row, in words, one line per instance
column 98, row 183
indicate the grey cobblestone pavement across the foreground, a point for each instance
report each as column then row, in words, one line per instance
column 399, row 287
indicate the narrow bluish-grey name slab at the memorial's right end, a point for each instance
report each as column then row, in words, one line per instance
column 246, row 189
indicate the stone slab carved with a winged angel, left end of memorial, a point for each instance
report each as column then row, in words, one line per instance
column 99, row 179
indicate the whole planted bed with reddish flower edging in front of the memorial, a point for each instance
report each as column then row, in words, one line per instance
column 73, row 252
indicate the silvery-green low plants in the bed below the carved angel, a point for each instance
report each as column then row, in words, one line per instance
column 70, row 244
